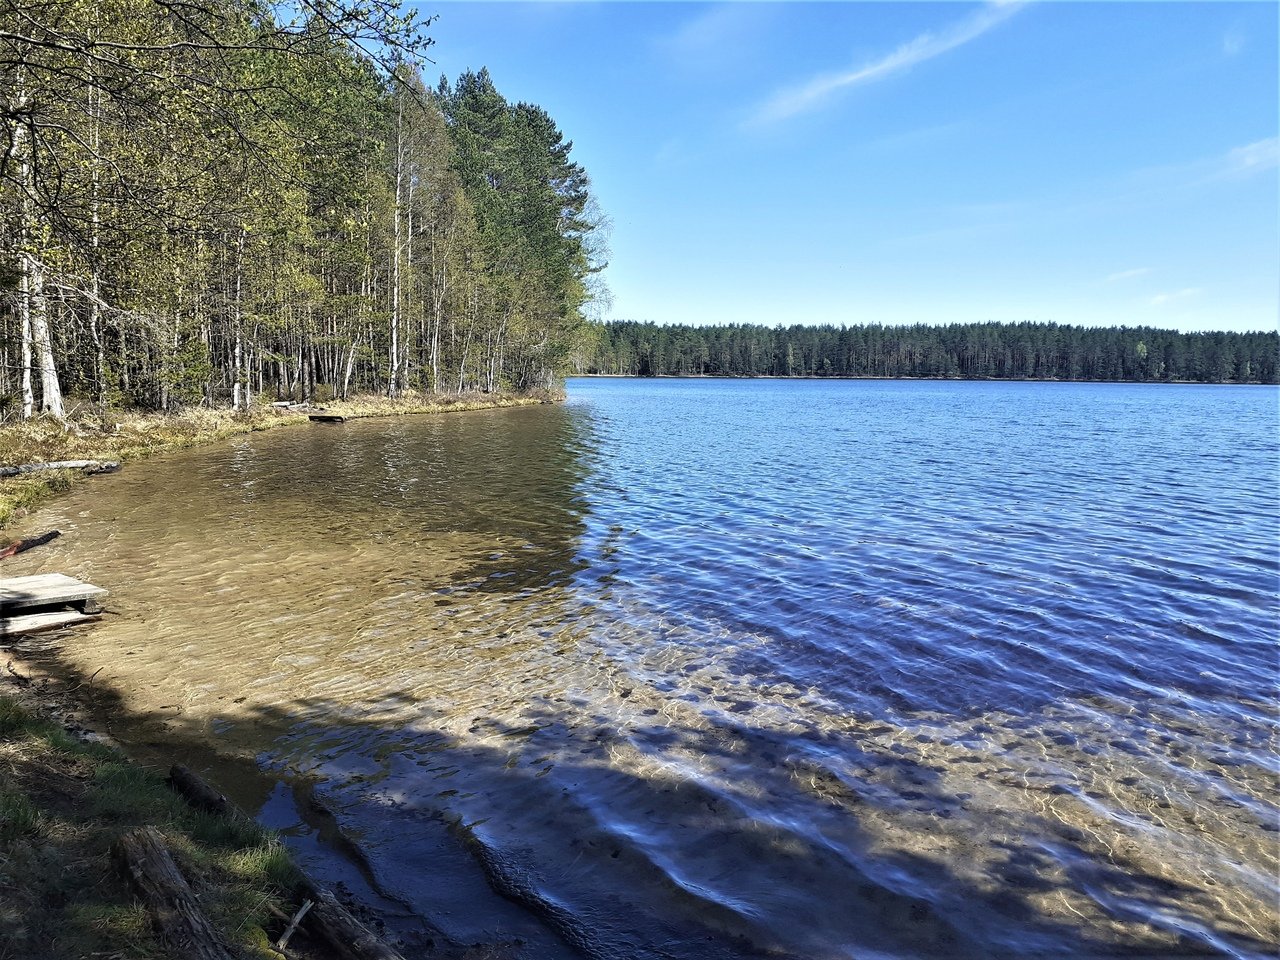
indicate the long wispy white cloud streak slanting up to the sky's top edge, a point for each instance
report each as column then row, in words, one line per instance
column 820, row 90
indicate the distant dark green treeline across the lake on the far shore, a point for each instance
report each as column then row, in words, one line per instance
column 972, row 351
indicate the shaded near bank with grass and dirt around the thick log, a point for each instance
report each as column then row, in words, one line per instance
column 72, row 792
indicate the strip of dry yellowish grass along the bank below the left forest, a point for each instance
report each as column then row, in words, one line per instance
column 130, row 436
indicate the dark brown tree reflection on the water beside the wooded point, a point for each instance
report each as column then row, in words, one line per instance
column 510, row 477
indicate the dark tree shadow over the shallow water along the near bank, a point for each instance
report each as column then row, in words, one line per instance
column 546, row 875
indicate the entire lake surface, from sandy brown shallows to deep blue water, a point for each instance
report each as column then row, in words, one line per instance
column 696, row 669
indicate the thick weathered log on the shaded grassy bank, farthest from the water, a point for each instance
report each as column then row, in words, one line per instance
column 168, row 898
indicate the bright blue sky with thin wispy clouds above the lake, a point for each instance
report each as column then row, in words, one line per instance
column 912, row 163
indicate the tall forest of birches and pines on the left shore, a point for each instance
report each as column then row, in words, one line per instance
column 208, row 202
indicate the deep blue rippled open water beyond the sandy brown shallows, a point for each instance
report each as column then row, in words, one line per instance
column 954, row 547
